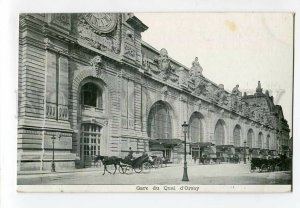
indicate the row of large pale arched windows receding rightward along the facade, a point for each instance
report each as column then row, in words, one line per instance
column 160, row 127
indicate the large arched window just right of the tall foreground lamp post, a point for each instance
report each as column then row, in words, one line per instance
column 196, row 128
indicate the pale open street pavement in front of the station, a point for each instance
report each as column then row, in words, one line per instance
column 216, row 174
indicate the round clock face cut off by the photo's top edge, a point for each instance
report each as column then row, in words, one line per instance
column 102, row 22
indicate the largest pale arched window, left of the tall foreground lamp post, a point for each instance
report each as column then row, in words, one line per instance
column 159, row 122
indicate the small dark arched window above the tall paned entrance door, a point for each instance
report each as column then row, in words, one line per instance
column 91, row 95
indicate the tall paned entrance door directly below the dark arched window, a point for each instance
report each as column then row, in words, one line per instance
column 89, row 143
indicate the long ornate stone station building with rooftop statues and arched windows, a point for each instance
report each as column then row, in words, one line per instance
column 90, row 82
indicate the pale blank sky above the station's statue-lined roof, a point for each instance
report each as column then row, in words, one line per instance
column 233, row 48
